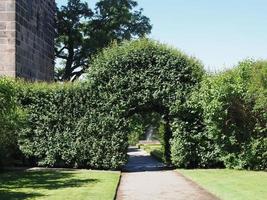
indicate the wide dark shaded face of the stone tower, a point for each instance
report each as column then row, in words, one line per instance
column 35, row 39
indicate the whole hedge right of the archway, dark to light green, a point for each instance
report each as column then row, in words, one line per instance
column 228, row 121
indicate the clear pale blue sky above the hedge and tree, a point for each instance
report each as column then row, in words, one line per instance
column 220, row 33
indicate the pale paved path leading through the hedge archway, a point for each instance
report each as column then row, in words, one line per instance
column 146, row 179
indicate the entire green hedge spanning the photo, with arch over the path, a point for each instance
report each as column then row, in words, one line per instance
column 216, row 120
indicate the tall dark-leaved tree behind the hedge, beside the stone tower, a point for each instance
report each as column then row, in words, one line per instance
column 83, row 32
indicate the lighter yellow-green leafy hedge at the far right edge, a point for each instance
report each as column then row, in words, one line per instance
column 232, row 118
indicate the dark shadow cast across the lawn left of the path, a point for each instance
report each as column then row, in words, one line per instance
column 11, row 182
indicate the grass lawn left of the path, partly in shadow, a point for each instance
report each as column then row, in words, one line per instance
column 60, row 184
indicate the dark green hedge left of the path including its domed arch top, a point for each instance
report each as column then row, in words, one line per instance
column 87, row 124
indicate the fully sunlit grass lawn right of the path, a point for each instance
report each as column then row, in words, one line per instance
column 231, row 184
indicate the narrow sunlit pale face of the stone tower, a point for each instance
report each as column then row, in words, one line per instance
column 7, row 37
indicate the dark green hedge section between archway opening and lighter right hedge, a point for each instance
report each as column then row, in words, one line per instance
column 191, row 147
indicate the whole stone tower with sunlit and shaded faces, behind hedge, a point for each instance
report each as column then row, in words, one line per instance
column 27, row 38
